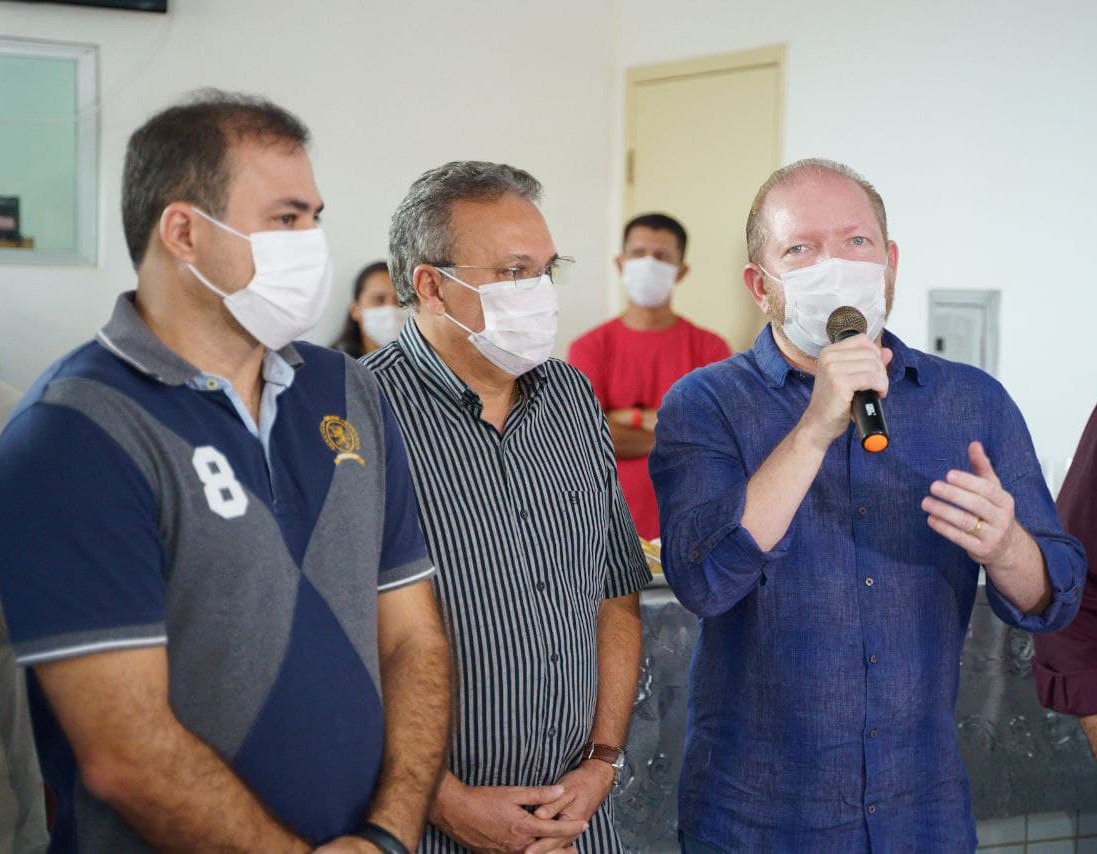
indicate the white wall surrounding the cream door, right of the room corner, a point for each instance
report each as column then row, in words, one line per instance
column 977, row 121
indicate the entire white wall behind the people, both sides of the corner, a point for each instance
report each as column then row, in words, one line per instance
column 977, row 122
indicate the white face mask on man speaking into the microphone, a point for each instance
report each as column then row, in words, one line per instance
column 811, row 294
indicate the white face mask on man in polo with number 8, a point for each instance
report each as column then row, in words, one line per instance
column 291, row 287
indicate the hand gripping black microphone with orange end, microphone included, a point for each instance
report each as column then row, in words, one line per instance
column 851, row 379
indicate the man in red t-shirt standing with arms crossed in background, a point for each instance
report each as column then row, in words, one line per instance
column 632, row 361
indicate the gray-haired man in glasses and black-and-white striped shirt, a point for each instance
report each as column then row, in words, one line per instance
column 539, row 564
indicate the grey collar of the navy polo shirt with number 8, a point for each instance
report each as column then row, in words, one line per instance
column 128, row 336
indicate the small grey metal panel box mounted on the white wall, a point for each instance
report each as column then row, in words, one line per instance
column 964, row 327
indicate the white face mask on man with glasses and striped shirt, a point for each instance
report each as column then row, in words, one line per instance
column 519, row 323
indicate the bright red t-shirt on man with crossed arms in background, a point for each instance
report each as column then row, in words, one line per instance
column 632, row 368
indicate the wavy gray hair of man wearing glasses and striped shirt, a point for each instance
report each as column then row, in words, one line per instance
column 421, row 229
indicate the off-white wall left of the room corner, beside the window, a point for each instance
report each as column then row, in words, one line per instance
column 388, row 89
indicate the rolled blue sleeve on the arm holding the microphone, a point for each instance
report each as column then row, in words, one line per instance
column 710, row 560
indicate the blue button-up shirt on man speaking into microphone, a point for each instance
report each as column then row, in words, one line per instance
column 824, row 683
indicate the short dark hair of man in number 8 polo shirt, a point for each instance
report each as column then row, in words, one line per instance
column 180, row 154
